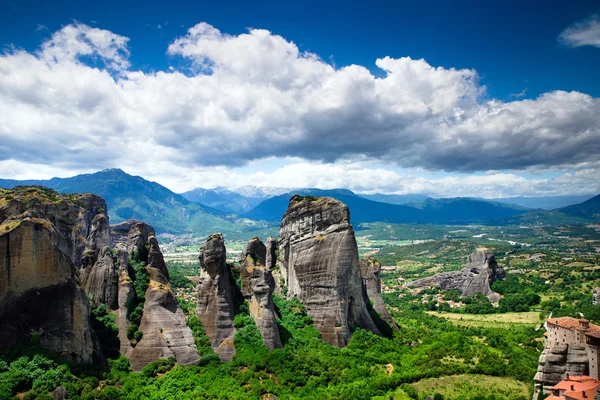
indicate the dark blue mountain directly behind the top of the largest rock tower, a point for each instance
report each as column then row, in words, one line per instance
column 435, row 211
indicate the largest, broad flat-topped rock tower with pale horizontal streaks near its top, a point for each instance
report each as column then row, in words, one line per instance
column 320, row 266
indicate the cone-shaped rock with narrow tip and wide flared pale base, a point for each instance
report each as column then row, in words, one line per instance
column 163, row 324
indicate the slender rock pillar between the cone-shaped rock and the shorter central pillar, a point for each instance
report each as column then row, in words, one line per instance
column 218, row 296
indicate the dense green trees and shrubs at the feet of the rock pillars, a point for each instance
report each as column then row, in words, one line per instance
column 305, row 368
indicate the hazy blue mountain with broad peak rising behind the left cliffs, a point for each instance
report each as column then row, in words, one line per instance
column 133, row 197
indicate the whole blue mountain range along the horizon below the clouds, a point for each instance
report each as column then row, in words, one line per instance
column 249, row 209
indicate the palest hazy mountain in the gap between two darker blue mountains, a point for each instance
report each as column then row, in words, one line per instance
column 235, row 201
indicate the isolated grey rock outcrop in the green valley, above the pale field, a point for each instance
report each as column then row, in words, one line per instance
column 476, row 277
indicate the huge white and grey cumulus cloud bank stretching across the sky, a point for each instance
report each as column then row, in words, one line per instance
column 76, row 104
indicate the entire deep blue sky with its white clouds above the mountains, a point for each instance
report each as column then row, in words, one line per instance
column 466, row 98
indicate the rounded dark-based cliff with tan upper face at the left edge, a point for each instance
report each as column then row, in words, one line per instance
column 39, row 291
